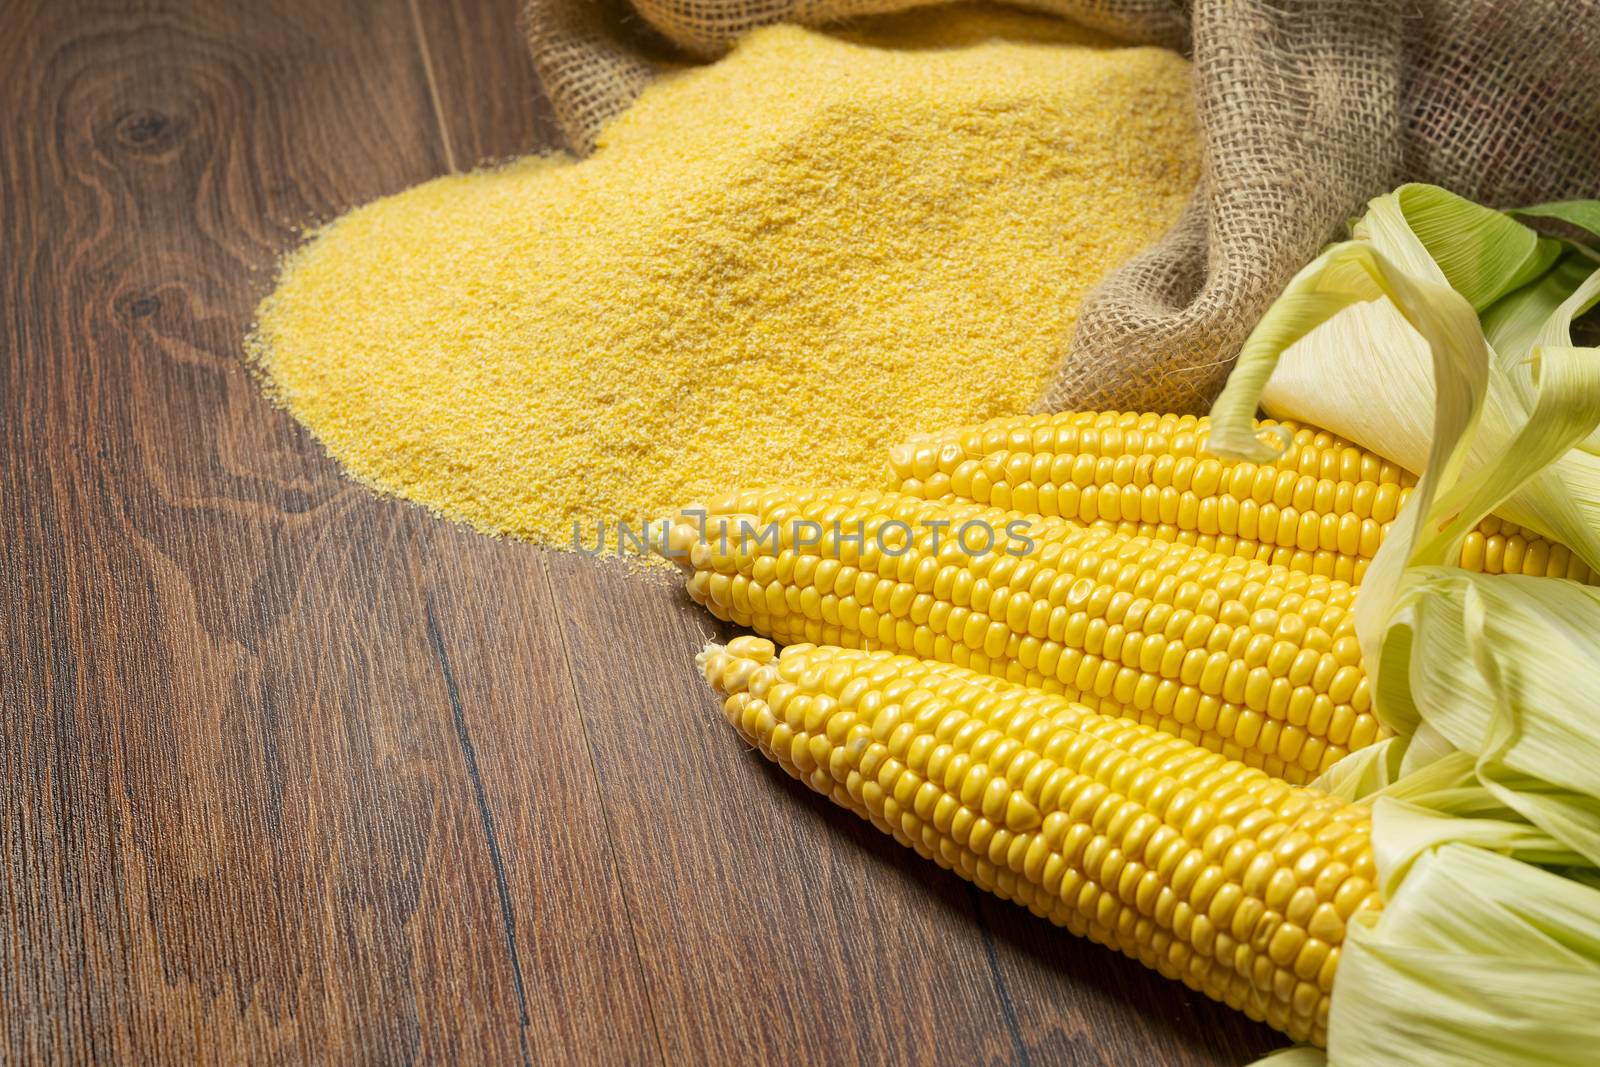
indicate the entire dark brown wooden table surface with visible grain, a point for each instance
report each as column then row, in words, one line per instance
column 292, row 773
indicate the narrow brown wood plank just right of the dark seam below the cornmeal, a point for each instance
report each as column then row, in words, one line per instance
column 586, row 997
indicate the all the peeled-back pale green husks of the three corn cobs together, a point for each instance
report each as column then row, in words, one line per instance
column 1487, row 802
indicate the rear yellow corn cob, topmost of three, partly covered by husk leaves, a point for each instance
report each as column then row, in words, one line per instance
column 1326, row 506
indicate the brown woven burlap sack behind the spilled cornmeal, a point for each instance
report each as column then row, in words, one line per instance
column 1308, row 110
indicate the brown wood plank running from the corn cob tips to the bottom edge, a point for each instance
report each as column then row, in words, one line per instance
column 782, row 929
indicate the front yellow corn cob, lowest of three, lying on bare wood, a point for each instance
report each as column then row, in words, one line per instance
column 1207, row 871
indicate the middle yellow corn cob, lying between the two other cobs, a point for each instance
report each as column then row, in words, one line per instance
column 1250, row 660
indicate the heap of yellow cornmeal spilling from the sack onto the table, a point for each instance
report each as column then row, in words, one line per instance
column 772, row 270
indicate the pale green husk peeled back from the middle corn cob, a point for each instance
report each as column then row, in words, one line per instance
column 1492, row 666
